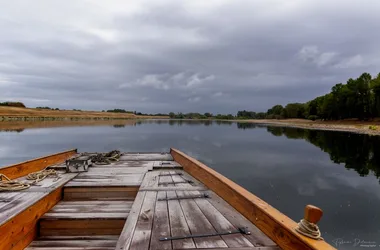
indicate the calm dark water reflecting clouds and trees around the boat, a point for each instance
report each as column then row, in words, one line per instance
column 286, row 167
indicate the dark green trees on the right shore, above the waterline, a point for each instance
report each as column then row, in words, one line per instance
column 357, row 98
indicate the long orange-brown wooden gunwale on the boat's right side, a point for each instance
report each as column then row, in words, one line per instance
column 280, row 228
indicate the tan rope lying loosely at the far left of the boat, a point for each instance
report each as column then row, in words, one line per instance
column 7, row 184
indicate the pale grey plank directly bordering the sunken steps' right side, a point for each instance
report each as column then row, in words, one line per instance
column 125, row 239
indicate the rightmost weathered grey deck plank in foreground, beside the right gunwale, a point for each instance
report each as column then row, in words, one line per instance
column 257, row 237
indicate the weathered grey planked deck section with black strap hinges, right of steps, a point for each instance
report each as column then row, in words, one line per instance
column 181, row 217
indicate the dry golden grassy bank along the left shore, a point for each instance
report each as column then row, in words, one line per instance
column 13, row 113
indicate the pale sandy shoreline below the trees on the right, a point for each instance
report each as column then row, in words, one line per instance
column 354, row 126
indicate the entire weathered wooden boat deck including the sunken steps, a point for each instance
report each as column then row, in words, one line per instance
column 129, row 204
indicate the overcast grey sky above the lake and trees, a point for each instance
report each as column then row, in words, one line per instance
column 161, row 56
